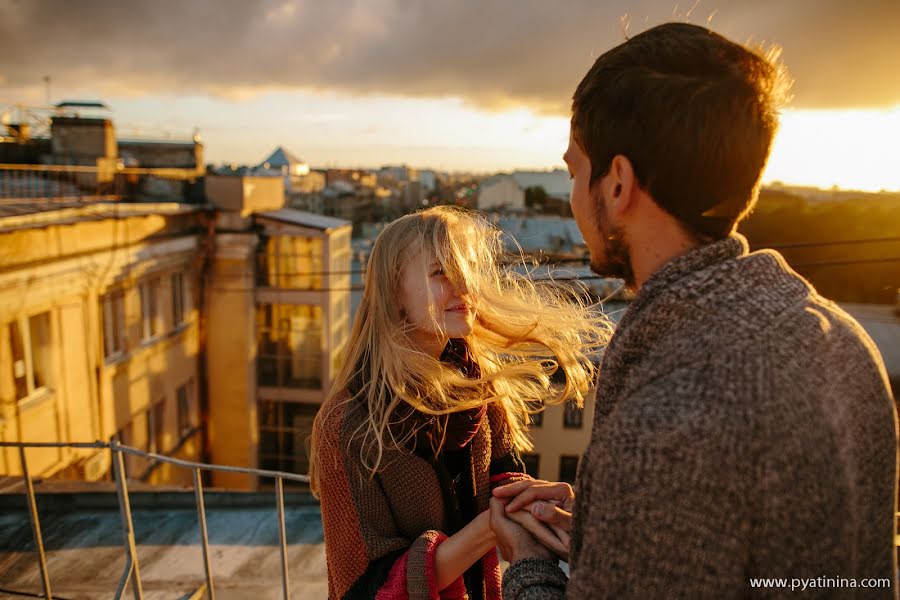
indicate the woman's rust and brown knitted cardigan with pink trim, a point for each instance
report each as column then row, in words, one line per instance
column 381, row 533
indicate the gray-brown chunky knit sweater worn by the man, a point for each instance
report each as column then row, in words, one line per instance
column 744, row 429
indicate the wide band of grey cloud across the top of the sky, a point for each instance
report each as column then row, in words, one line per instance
column 493, row 53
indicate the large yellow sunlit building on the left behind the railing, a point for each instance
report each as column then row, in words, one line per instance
column 201, row 331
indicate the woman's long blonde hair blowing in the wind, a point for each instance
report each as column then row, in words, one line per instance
column 523, row 332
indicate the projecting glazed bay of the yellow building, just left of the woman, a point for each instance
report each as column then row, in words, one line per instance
column 307, row 291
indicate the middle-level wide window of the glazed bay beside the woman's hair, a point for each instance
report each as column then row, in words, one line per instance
column 289, row 345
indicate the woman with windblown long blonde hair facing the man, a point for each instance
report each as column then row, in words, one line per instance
column 448, row 353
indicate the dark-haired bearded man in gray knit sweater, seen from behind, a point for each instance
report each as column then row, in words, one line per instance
column 744, row 425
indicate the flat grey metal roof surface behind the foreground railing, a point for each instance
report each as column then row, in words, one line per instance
column 83, row 541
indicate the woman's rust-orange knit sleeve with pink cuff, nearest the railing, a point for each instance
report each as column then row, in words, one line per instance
column 367, row 556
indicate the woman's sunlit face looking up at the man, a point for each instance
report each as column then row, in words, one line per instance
column 432, row 305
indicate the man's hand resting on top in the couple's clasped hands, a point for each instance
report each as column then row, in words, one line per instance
column 549, row 503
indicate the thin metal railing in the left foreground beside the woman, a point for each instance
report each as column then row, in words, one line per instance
column 131, row 574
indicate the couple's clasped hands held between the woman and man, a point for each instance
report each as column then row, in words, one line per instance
column 532, row 519
